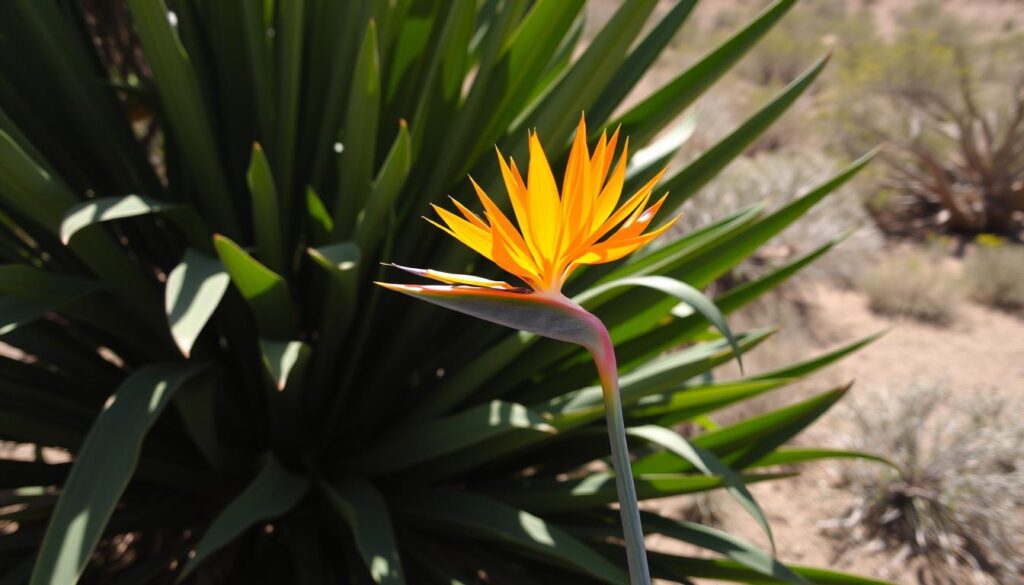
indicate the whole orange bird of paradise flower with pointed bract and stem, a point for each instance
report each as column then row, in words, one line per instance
column 556, row 233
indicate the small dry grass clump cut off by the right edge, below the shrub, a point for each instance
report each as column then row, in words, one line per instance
column 996, row 276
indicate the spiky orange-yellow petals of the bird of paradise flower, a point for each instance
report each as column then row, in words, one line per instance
column 557, row 232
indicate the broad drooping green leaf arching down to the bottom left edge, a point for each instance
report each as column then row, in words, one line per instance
column 103, row 469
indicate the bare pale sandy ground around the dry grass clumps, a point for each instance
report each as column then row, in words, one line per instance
column 983, row 351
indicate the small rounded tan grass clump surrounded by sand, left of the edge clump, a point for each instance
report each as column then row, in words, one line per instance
column 913, row 285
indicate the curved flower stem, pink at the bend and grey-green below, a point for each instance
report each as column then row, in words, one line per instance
column 605, row 358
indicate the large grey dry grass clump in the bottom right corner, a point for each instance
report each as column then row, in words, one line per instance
column 957, row 493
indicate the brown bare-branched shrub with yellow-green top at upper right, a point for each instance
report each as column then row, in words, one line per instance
column 950, row 104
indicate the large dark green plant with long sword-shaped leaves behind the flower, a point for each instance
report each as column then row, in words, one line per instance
column 196, row 200
